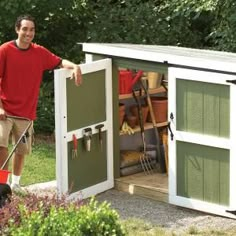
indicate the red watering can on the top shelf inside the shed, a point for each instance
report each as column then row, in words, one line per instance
column 127, row 81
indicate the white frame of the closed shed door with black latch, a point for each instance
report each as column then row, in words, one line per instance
column 209, row 77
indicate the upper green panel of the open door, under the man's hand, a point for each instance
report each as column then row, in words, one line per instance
column 86, row 104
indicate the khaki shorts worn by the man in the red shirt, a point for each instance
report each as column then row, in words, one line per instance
column 15, row 128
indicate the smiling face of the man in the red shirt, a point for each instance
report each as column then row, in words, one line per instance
column 26, row 32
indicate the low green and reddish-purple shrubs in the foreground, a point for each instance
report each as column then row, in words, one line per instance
column 41, row 216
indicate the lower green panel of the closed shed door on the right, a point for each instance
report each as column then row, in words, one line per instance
column 203, row 173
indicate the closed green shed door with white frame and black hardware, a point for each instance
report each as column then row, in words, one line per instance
column 202, row 165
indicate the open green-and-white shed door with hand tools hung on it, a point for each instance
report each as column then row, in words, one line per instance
column 79, row 110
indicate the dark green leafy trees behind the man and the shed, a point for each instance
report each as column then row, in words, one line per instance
column 61, row 24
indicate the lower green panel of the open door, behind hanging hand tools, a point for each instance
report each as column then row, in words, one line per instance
column 88, row 168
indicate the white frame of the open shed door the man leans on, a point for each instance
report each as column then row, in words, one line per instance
column 63, row 137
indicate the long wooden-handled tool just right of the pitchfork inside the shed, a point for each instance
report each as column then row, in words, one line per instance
column 158, row 143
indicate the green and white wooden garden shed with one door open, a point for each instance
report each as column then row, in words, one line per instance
column 201, row 90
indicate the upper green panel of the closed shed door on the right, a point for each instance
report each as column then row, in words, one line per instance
column 202, row 108
